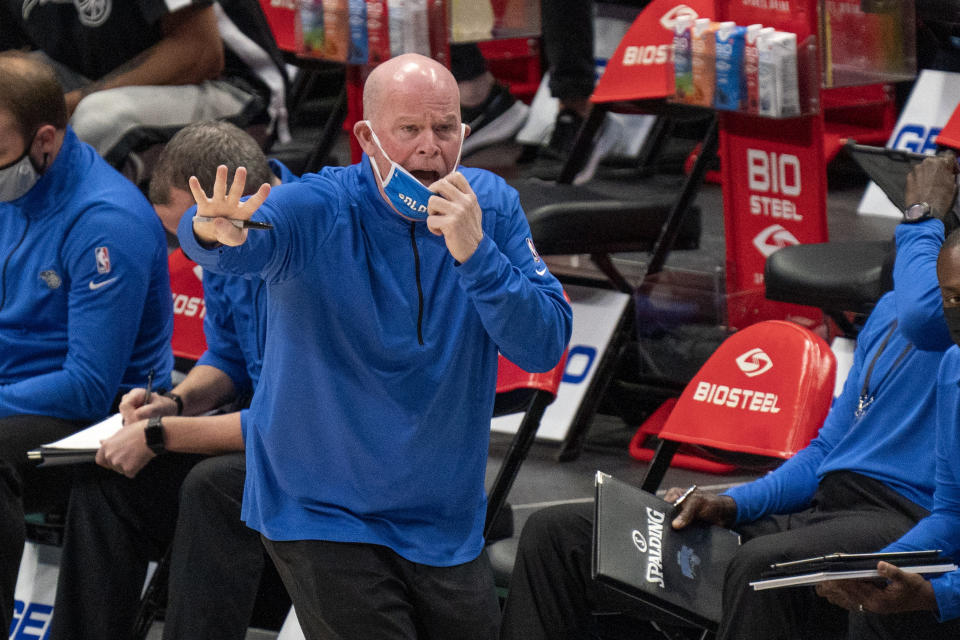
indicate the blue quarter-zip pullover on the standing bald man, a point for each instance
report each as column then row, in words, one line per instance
column 370, row 422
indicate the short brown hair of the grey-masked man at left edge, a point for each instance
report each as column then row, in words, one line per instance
column 31, row 93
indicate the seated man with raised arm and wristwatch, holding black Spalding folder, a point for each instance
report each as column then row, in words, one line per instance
column 856, row 487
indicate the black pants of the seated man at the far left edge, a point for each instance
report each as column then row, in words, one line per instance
column 22, row 486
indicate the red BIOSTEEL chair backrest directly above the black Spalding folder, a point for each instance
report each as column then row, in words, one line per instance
column 765, row 391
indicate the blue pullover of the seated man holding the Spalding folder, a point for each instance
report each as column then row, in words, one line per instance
column 899, row 426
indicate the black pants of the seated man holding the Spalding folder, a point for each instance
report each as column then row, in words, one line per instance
column 552, row 595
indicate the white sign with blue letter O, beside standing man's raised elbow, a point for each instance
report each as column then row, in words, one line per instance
column 596, row 313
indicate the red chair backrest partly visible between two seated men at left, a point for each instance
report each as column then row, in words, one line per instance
column 186, row 284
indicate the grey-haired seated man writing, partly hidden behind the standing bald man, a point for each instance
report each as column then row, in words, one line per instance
column 175, row 476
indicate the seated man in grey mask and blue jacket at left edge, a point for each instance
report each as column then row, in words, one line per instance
column 85, row 309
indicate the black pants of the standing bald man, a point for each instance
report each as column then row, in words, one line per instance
column 347, row 591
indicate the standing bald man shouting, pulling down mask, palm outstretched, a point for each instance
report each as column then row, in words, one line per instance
column 392, row 284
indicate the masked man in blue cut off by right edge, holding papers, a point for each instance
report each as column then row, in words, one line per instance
column 909, row 606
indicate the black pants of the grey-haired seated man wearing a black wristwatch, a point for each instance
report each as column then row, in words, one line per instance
column 116, row 525
